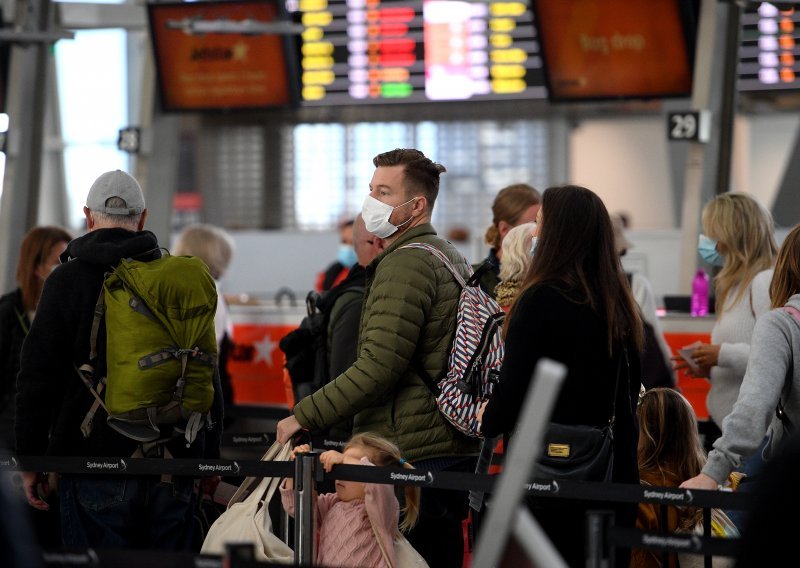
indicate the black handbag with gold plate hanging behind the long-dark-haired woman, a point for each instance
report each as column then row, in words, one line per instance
column 580, row 452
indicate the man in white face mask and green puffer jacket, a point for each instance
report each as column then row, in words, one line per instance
column 407, row 326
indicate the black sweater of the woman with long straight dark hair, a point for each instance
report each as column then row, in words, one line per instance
column 546, row 323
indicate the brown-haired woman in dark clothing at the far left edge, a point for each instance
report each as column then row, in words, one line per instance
column 38, row 256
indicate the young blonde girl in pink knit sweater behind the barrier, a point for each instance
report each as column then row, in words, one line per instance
column 357, row 525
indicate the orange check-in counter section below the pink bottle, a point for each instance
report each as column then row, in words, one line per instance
column 681, row 329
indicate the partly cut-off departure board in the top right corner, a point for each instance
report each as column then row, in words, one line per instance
column 768, row 51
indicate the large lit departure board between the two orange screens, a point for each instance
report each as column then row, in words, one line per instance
column 373, row 52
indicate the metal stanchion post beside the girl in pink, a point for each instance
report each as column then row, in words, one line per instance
column 304, row 473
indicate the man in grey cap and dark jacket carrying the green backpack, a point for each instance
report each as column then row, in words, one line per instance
column 111, row 511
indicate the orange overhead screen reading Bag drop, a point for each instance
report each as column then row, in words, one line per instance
column 604, row 49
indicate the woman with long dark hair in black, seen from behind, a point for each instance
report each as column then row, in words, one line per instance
column 575, row 307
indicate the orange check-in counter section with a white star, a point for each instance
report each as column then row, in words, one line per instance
column 256, row 363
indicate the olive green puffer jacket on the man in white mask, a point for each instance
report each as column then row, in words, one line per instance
column 409, row 315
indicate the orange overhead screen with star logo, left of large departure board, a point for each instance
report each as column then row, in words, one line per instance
column 217, row 56
